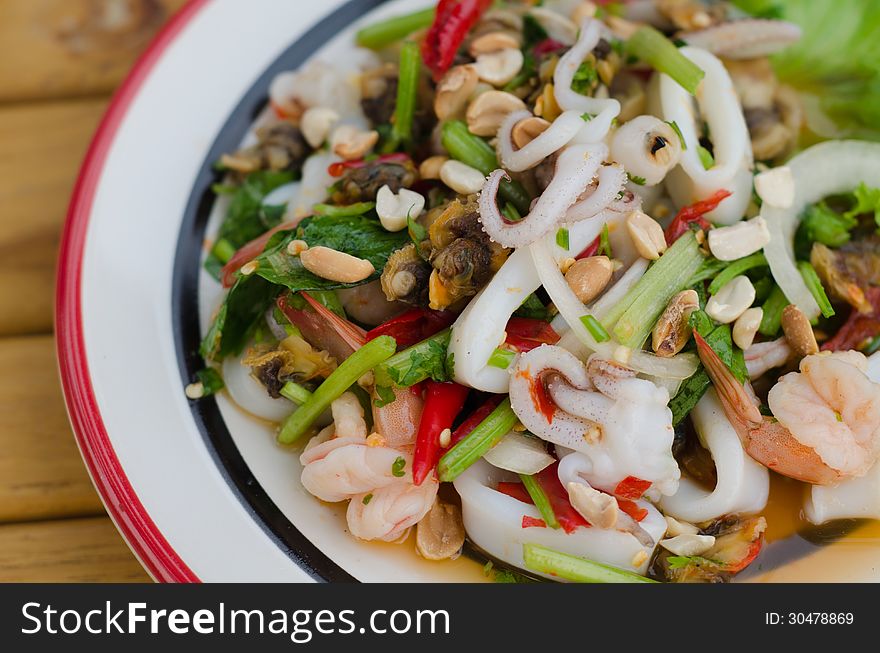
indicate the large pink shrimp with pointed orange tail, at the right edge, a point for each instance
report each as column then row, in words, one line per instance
column 826, row 424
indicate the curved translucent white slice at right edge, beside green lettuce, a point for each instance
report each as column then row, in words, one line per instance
column 826, row 169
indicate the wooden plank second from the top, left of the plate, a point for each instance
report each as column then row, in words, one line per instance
column 41, row 148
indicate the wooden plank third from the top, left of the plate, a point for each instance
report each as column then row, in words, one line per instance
column 42, row 475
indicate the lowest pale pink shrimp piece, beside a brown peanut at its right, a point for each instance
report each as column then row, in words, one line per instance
column 390, row 511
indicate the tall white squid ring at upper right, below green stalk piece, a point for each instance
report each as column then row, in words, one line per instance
column 720, row 107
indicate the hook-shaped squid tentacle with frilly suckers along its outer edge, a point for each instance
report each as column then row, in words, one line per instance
column 575, row 168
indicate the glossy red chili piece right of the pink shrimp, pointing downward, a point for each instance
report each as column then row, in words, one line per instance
column 443, row 403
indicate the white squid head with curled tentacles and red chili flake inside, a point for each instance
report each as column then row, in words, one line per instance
column 618, row 424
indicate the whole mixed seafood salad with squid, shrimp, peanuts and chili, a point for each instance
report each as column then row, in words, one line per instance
column 569, row 286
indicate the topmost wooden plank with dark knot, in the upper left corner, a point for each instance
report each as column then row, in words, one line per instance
column 68, row 48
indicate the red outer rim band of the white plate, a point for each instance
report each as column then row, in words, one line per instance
column 131, row 518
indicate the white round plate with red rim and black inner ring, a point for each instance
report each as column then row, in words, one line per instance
column 198, row 490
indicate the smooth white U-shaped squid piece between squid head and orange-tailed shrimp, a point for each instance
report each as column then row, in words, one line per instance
column 743, row 484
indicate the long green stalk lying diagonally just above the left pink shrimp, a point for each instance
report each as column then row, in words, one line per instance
column 352, row 368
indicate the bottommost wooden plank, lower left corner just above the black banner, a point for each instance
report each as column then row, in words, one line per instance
column 67, row 551
